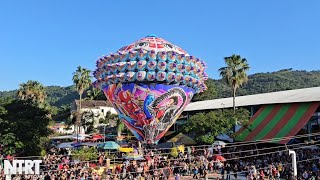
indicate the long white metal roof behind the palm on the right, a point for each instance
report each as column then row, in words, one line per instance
column 280, row 97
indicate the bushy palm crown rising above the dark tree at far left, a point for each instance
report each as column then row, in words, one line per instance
column 32, row 90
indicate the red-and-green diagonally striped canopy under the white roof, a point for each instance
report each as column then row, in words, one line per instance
column 277, row 122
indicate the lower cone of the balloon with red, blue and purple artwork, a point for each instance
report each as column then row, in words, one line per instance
column 148, row 110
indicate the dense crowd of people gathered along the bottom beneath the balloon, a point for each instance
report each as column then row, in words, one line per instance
column 196, row 162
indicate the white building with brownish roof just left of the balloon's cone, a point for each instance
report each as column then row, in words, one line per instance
column 97, row 107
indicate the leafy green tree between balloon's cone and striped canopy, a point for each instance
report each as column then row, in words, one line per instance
column 206, row 126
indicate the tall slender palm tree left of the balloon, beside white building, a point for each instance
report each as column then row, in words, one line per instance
column 82, row 80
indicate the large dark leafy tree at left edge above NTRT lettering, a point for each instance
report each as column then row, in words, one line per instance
column 22, row 125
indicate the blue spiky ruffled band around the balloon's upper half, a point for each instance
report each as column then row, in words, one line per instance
column 165, row 67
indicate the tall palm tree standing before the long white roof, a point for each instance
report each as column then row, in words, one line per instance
column 235, row 74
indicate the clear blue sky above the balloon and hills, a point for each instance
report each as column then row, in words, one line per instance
column 47, row 40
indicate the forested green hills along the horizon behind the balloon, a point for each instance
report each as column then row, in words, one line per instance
column 285, row 79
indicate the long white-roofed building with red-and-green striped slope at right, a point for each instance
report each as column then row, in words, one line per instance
column 275, row 116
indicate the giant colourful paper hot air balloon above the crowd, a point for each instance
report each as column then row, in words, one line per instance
column 149, row 83
